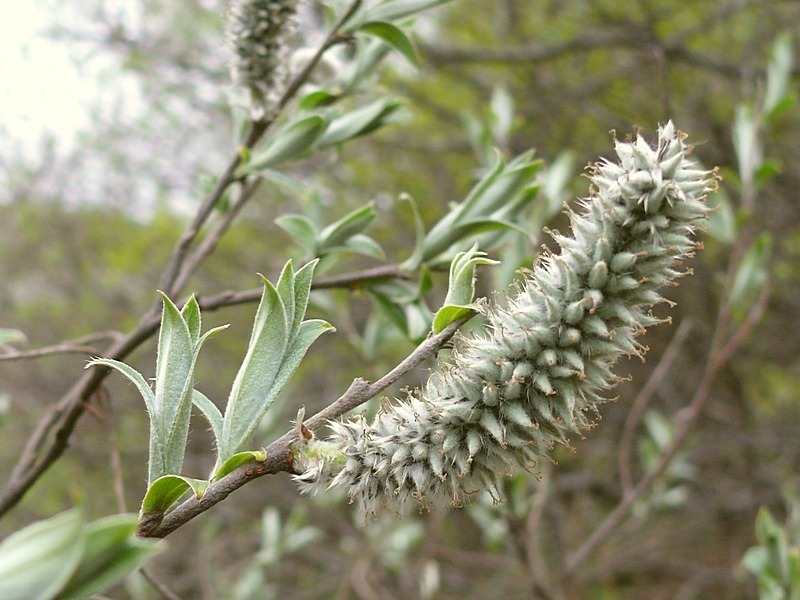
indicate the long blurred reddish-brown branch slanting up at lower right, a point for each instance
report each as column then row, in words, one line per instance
column 686, row 421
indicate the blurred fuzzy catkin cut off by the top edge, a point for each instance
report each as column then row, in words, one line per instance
column 256, row 33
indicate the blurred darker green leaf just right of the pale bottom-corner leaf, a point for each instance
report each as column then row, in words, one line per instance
column 112, row 551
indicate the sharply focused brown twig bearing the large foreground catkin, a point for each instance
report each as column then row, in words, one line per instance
column 278, row 453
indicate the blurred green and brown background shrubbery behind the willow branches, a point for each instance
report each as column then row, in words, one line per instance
column 85, row 231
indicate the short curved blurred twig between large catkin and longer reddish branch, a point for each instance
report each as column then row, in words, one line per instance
column 641, row 402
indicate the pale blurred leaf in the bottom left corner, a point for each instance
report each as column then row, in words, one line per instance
column 38, row 560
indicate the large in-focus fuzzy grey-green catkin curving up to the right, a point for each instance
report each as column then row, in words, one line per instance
column 538, row 373
